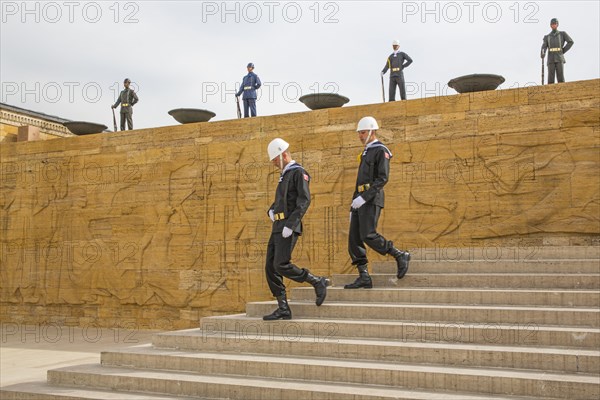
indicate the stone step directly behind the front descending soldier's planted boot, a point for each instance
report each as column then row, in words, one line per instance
column 587, row 317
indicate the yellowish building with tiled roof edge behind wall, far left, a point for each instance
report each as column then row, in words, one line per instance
column 19, row 124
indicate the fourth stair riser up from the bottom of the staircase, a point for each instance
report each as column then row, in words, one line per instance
column 324, row 347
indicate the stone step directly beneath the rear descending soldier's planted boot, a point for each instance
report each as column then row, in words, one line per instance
column 522, row 297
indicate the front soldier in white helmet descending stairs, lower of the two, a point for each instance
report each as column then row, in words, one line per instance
column 292, row 198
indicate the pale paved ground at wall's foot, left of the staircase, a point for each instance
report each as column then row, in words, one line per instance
column 28, row 351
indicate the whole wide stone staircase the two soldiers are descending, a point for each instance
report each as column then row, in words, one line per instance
column 463, row 324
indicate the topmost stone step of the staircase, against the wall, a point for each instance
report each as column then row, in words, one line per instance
column 496, row 253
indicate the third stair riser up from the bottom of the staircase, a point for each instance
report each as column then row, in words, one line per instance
column 340, row 374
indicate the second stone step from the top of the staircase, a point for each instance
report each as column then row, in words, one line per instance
column 502, row 266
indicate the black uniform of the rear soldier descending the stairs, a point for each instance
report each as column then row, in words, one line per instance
column 373, row 174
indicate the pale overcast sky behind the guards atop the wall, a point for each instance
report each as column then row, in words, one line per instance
column 69, row 58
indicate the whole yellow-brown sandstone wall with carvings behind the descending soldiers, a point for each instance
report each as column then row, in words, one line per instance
column 157, row 227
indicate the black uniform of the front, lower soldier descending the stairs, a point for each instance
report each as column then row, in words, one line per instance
column 292, row 199
